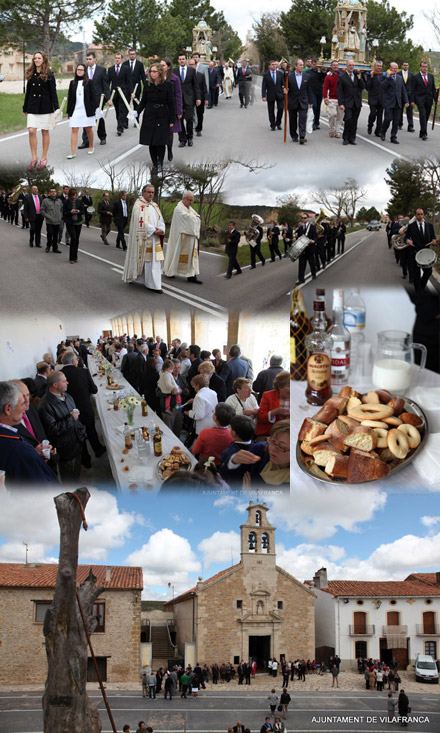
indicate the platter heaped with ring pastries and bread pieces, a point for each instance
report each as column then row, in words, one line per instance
column 354, row 438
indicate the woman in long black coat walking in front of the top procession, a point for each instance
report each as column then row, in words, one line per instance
column 159, row 110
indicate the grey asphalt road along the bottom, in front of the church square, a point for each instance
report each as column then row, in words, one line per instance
column 214, row 712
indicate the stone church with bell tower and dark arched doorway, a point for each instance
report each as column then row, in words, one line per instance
column 254, row 609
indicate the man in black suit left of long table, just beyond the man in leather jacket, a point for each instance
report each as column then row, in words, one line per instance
column 80, row 386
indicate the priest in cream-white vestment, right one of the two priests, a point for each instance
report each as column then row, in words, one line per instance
column 182, row 251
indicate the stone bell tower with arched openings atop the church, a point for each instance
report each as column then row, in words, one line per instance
column 257, row 538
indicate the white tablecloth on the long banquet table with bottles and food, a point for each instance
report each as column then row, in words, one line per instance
column 142, row 474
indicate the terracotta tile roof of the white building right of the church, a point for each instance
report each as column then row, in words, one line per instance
column 381, row 588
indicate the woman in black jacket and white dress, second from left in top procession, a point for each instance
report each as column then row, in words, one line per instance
column 81, row 107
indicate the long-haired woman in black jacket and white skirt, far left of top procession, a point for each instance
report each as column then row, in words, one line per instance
column 40, row 103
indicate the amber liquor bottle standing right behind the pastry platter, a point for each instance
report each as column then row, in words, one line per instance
column 319, row 350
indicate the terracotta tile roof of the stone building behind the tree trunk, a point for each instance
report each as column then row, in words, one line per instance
column 15, row 575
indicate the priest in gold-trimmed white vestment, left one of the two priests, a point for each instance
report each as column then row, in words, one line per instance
column 143, row 261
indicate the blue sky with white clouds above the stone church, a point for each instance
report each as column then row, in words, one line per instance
column 356, row 534
